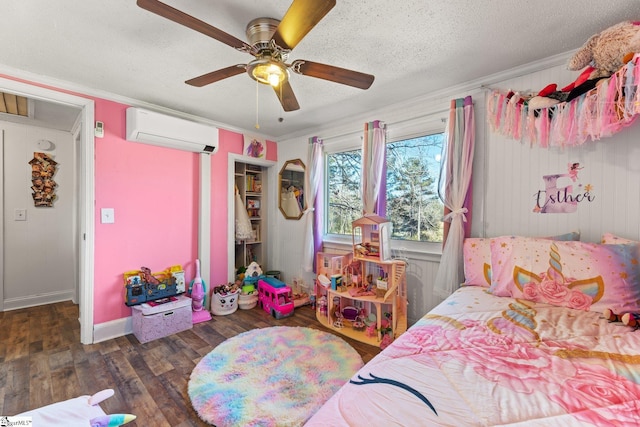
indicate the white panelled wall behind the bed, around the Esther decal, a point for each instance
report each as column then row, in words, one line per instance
column 514, row 173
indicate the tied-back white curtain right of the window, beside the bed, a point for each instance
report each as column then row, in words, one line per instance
column 455, row 178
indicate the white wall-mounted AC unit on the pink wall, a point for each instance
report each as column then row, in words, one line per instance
column 166, row 131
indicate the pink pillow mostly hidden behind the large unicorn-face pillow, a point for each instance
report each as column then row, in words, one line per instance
column 477, row 258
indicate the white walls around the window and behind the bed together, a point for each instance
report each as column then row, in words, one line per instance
column 507, row 174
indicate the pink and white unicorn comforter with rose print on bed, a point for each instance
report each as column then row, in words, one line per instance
column 482, row 360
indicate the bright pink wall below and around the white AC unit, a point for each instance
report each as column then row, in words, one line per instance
column 154, row 192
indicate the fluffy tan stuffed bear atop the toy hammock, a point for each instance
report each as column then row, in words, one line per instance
column 605, row 51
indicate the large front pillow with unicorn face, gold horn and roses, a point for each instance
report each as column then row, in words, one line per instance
column 579, row 275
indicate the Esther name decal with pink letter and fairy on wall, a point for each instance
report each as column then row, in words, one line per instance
column 556, row 198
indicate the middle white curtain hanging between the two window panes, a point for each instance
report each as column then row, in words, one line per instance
column 373, row 154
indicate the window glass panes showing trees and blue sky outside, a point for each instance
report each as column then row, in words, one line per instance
column 413, row 206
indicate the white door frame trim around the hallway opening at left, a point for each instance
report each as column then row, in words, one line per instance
column 83, row 258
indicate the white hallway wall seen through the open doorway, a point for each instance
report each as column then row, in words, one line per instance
column 39, row 252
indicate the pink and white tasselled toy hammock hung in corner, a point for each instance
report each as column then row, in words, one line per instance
column 584, row 110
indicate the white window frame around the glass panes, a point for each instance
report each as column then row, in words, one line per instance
column 408, row 129
